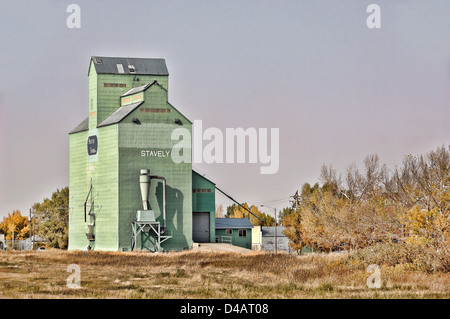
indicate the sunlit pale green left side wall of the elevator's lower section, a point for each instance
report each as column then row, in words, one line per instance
column 104, row 177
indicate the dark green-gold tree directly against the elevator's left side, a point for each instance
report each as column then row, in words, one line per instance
column 53, row 218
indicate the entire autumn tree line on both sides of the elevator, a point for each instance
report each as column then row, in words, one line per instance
column 351, row 210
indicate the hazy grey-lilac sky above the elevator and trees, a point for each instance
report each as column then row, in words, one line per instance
column 336, row 89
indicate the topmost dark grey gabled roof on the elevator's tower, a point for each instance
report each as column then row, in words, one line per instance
column 142, row 66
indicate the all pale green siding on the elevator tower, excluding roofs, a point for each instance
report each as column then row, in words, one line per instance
column 114, row 170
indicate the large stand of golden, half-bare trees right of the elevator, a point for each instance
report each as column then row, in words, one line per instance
column 355, row 209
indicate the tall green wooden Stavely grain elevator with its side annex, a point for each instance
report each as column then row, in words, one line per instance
column 126, row 191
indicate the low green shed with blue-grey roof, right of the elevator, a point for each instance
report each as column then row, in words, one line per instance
column 236, row 231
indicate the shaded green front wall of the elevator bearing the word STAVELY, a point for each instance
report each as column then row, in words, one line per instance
column 133, row 139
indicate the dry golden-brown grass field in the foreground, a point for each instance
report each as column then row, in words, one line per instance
column 195, row 274
